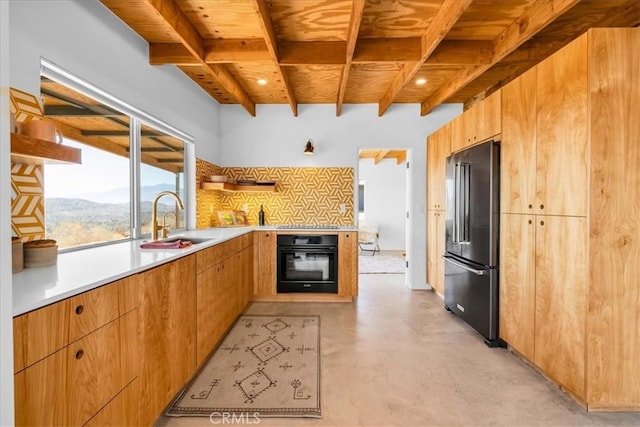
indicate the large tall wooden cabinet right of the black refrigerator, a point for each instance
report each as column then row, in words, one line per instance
column 570, row 235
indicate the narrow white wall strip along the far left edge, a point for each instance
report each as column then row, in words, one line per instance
column 6, row 309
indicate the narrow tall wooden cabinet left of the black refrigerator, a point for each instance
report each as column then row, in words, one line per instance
column 438, row 148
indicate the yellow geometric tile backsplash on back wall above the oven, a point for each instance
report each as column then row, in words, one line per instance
column 303, row 195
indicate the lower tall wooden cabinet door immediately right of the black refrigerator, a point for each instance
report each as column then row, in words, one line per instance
column 517, row 282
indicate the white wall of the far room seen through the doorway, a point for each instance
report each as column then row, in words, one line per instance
column 385, row 200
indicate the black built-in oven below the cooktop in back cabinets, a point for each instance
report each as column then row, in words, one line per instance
column 307, row 263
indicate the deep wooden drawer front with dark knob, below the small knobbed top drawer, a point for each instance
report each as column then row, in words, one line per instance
column 94, row 372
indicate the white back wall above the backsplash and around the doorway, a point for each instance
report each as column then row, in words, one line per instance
column 275, row 138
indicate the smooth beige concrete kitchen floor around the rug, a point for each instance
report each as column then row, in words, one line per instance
column 396, row 358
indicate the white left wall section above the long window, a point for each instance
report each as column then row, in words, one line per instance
column 86, row 39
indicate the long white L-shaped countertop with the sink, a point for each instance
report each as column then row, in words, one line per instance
column 86, row 269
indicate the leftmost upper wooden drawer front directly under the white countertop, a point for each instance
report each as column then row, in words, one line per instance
column 40, row 333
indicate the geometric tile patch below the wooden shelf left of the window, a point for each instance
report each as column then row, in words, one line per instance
column 27, row 201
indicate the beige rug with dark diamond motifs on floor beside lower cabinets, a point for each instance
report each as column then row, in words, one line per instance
column 267, row 366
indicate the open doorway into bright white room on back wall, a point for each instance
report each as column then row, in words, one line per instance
column 383, row 183
